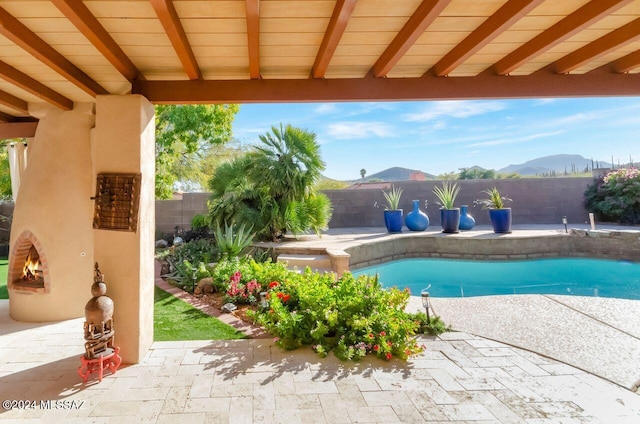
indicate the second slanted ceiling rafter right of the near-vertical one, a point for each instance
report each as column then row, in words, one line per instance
column 424, row 15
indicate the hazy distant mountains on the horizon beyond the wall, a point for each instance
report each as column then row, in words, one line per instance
column 540, row 166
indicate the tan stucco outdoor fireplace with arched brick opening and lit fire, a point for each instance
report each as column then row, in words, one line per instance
column 51, row 246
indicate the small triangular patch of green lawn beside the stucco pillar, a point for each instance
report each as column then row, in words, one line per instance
column 177, row 320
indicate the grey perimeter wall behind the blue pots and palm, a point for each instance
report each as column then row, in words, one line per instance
column 535, row 201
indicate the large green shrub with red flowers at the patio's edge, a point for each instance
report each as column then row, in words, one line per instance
column 352, row 317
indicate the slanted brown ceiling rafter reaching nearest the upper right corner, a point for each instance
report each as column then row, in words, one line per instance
column 565, row 28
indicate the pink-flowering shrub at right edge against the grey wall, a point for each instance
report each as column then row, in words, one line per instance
column 616, row 197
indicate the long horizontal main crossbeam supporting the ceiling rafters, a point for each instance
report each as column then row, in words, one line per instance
column 389, row 89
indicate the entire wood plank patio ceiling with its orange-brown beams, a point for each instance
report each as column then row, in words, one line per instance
column 188, row 51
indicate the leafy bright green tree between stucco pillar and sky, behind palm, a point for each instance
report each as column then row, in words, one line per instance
column 185, row 136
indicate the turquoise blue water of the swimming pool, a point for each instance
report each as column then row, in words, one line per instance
column 458, row 278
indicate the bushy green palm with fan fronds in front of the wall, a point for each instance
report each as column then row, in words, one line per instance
column 271, row 187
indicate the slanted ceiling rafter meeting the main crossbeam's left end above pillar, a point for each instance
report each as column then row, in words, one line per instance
column 90, row 27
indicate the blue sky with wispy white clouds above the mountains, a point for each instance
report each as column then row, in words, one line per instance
column 441, row 136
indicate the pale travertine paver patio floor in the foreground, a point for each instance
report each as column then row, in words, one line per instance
column 459, row 378
